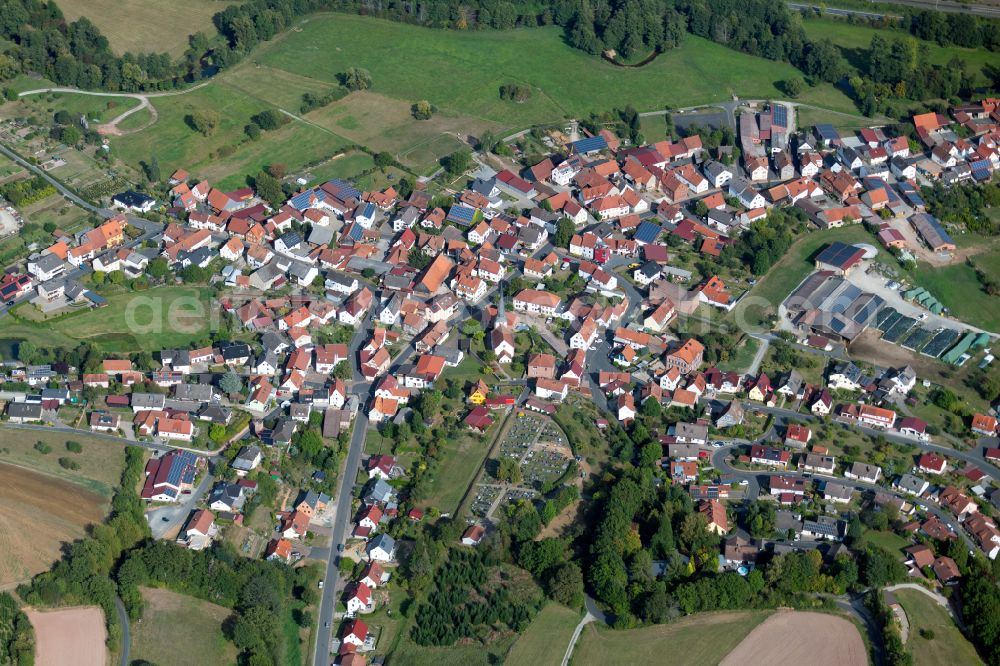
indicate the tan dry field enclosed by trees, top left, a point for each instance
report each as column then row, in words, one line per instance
column 142, row 26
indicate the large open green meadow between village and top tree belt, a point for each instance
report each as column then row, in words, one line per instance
column 459, row 72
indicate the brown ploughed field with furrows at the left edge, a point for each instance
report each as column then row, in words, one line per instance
column 38, row 515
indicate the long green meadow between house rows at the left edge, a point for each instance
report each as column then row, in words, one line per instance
column 160, row 318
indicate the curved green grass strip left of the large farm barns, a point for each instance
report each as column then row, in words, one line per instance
column 787, row 273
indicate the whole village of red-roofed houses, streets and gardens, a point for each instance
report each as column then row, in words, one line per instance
column 353, row 370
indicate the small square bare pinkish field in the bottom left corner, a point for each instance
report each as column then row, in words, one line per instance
column 69, row 636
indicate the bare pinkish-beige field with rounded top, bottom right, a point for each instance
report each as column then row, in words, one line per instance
column 817, row 639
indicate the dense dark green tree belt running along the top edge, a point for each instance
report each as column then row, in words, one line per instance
column 76, row 53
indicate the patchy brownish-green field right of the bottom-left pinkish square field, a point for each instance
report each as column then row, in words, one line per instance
column 181, row 630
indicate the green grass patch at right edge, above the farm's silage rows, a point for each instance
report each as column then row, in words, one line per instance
column 959, row 290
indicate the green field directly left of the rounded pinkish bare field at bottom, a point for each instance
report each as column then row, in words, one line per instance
column 698, row 640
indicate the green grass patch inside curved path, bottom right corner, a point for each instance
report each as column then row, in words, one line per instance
column 948, row 646
